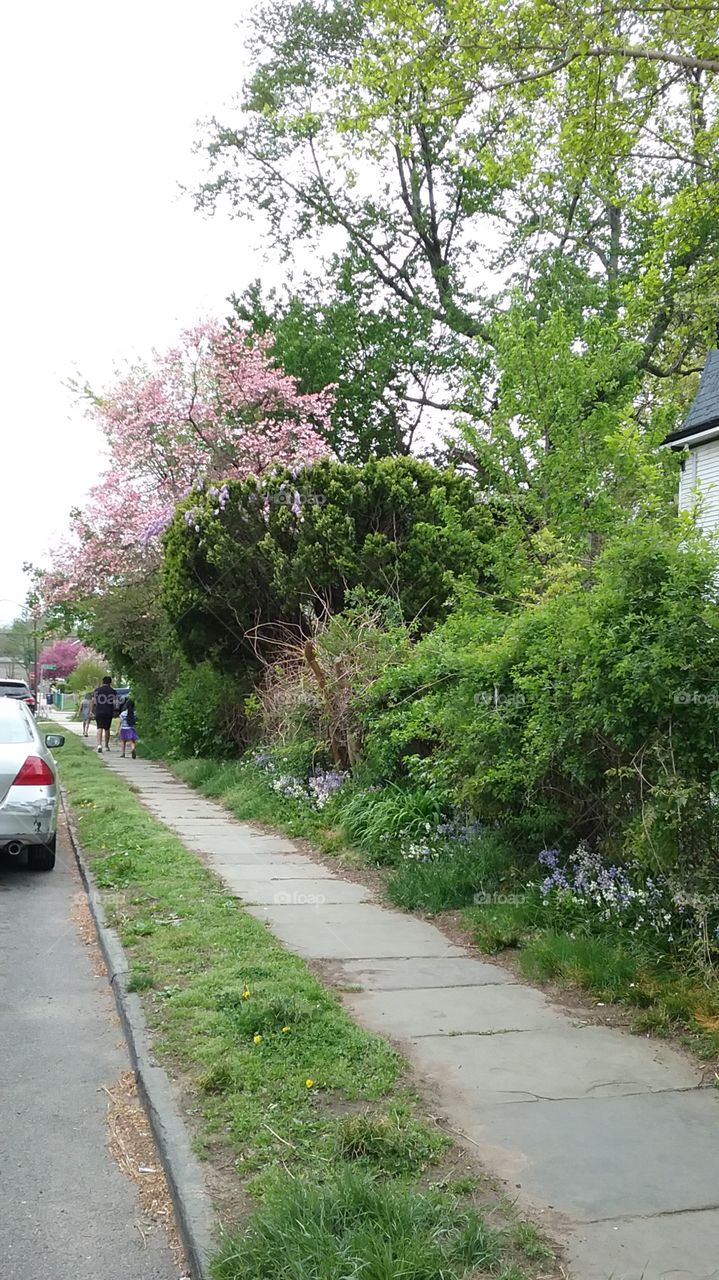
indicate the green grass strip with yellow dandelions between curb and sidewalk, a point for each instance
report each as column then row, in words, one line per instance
column 313, row 1109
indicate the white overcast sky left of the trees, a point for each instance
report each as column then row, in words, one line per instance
column 102, row 258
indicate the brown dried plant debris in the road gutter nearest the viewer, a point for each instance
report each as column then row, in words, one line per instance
column 132, row 1148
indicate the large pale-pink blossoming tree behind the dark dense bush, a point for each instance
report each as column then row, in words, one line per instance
column 212, row 409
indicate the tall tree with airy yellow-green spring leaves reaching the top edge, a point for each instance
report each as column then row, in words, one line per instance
column 537, row 181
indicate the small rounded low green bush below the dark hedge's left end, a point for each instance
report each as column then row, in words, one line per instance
column 204, row 715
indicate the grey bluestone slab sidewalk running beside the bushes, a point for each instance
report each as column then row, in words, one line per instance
column 610, row 1140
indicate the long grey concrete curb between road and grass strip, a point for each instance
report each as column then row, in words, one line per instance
column 194, row 1213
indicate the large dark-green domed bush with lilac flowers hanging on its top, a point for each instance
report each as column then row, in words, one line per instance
column 242, row 574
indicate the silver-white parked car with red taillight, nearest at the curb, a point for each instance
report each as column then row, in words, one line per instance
column 29, row 787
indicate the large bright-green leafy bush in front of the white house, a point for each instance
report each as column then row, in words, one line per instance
column 588, row 714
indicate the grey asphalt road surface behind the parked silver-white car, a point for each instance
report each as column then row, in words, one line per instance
column 66, row 1209
